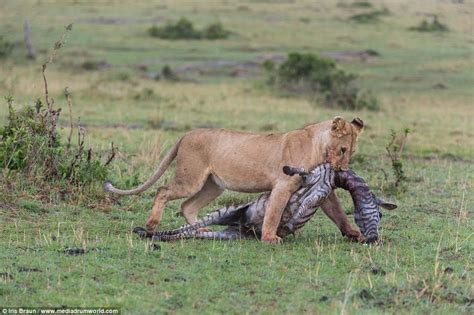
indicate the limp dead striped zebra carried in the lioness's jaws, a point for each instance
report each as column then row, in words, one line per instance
column 245, row 221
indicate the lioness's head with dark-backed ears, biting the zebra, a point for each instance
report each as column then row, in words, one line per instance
column 342, row 141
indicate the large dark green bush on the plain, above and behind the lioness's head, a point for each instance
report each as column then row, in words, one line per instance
column 321, row 79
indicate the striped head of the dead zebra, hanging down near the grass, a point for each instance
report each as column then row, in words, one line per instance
column 368, row 216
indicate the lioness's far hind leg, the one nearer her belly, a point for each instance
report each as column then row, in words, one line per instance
column 190, row 208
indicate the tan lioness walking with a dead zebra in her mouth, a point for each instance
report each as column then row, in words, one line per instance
column 212, row 160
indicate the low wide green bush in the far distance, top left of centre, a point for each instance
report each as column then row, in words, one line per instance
column 184, row 29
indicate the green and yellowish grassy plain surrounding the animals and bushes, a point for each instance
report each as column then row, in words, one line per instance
column 423, row 80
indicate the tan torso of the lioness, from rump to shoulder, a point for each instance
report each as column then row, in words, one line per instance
column 243, row 161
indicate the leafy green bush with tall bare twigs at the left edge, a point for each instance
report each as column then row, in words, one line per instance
column 31, row 145
